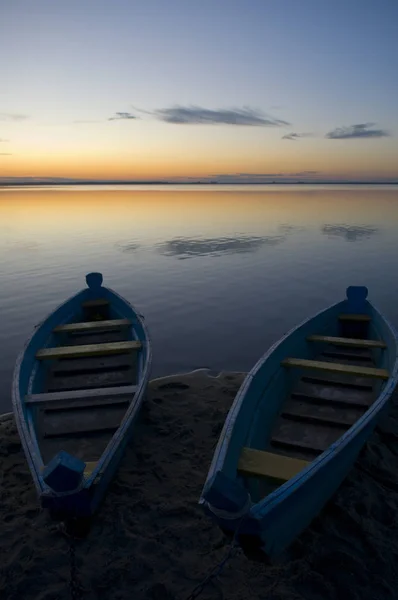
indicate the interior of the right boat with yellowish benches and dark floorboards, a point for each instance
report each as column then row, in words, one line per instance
column 327, row 395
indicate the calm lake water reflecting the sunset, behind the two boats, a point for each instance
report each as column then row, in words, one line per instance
column 219, row 272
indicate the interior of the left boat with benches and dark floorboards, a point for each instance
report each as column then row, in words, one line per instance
column 84, row 383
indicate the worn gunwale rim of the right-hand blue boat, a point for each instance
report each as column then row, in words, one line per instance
column 260, row 508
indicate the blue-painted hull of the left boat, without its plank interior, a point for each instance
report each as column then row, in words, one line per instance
column 29, row 379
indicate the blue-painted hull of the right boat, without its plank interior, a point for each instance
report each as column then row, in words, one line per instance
column 273, row 522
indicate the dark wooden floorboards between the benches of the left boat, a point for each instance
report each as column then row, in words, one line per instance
column 85, row 431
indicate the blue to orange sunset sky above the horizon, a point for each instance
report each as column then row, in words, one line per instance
column 227, row 89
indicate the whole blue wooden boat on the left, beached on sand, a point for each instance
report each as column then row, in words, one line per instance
column 77, row 389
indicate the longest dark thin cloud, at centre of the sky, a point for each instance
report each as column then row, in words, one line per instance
column 194, row 115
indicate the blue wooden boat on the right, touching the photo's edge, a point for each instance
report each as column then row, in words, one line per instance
column 298, row 423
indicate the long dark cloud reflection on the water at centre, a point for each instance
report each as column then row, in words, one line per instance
column 183, row 248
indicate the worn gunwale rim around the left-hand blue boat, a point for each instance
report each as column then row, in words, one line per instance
column 29, row 442
